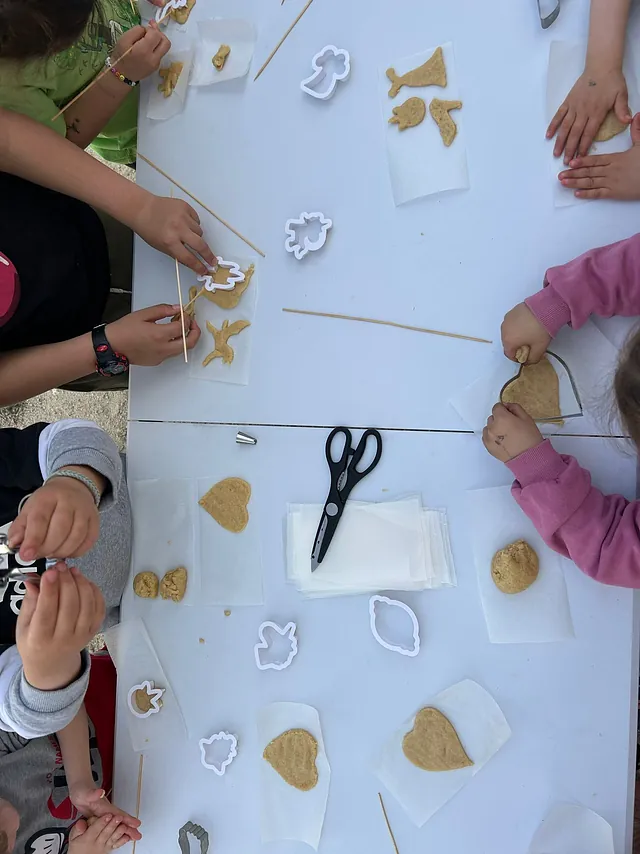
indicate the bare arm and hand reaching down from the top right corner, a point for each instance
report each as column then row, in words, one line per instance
column 600, row 88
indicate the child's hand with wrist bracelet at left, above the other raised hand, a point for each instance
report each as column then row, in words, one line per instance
column 59, row 520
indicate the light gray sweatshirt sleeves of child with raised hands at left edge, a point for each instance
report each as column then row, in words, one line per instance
column 23, row 709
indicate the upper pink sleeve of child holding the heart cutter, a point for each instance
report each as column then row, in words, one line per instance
column 604, row 281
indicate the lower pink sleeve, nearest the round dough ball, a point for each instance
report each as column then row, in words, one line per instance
column 600, row 533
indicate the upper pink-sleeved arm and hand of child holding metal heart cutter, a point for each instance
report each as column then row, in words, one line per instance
column 603, row 281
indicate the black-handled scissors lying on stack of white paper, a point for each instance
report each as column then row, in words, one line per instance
column 344, row 476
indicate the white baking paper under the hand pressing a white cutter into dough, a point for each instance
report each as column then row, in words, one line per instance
column 216, row 371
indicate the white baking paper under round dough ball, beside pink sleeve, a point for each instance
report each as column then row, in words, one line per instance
column 538, row 614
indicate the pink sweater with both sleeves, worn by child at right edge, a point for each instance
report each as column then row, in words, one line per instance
column 600, row 533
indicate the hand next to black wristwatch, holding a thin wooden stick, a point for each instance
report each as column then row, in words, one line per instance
column 144, row 341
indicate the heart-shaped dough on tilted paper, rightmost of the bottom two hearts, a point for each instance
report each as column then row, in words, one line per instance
column 433, row 744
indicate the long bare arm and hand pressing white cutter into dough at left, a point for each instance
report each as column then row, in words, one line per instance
column 39, row 154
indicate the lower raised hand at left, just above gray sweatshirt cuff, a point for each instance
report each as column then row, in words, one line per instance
column 56, row 621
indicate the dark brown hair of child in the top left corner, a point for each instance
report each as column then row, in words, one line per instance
column 31, row 29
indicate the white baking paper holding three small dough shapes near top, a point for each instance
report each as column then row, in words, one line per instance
column 419, row 162
